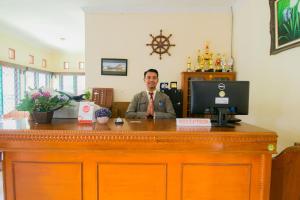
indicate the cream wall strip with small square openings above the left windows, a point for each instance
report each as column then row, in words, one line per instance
column 28, row 46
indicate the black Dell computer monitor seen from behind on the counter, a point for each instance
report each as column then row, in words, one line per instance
column 219, row 98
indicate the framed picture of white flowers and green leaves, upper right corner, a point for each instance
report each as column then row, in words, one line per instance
column 284, row 25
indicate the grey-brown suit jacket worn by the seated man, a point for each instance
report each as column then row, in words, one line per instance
column 163, row 107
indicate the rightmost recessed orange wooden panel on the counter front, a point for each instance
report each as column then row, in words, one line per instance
column 216, row 181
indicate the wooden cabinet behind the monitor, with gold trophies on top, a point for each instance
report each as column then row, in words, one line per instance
column 185, row 86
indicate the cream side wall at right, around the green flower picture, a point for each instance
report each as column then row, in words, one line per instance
column 275, row 80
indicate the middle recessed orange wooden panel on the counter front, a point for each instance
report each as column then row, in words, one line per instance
column 145, row 181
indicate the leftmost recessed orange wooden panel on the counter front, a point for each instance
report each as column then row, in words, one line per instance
column 47, row 180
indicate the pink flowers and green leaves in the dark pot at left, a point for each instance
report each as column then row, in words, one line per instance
column 43, row 100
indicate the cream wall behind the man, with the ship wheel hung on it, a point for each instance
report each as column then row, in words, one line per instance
column 126, row 35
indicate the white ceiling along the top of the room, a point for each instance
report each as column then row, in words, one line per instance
column 48, row 21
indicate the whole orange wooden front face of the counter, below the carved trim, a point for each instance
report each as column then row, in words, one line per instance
column 135, row 175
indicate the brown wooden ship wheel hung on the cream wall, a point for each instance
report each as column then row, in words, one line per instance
column 160, row 44
